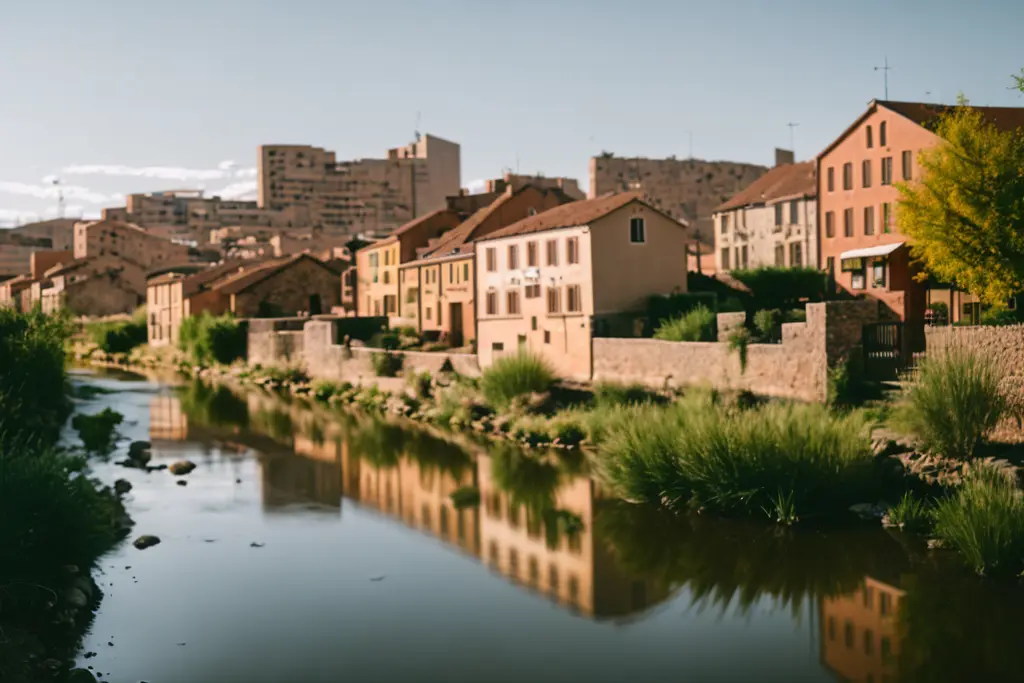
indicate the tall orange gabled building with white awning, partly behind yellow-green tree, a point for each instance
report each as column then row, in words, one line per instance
column 861, row 247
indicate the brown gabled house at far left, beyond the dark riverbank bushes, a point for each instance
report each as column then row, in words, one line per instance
column 100, row 286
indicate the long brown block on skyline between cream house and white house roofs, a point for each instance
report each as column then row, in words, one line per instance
column 688, row 190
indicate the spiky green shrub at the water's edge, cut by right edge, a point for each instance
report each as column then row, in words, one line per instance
column 985, row 523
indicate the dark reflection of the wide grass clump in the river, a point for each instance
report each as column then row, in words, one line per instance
column 724, row 561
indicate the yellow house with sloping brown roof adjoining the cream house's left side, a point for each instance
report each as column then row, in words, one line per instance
column 438, row 291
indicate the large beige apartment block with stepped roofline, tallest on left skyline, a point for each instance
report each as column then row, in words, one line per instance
column 365, row 195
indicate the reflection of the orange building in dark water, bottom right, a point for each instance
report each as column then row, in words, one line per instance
column 860, row 638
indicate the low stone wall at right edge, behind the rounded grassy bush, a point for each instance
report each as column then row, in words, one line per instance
column 1006, row 345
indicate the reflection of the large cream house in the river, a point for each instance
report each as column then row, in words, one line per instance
column 572, row 569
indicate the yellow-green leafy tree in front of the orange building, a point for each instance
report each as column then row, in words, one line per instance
column 966, row 216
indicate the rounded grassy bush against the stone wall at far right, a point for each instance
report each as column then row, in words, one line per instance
column 955, row 402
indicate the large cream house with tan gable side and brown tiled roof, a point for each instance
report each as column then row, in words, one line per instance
column 550, row 282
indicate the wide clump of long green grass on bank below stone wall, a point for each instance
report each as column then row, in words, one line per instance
column 787, row 461
